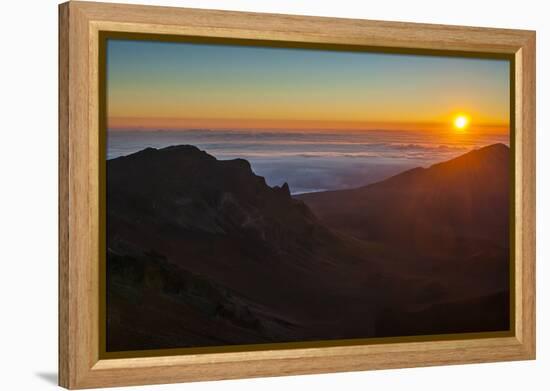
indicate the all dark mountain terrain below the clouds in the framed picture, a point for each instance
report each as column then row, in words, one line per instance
column 202, row 252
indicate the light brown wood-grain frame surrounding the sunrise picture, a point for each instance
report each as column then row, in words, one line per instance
column 79, row 363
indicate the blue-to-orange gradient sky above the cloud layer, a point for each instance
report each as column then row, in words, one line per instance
column 161, row 85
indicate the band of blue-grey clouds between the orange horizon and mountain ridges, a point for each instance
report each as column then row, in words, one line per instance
column 312, row 161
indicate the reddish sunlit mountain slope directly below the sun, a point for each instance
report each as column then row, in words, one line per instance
column 440, row 208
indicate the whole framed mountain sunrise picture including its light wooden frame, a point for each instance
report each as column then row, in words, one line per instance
column 247, row 195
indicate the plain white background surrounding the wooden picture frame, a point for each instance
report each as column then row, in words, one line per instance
column 28, row 194
